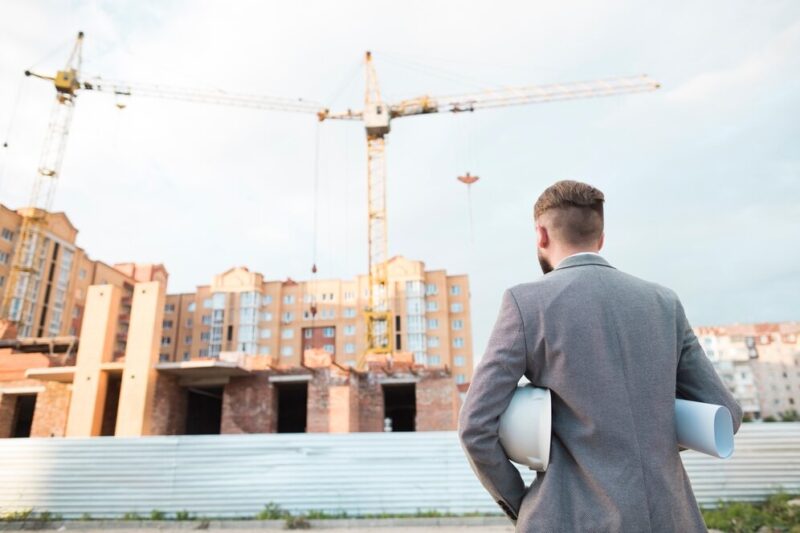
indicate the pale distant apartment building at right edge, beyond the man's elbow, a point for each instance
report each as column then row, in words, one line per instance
column 760, row 363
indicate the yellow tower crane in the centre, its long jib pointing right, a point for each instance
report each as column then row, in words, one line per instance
column 377, row 116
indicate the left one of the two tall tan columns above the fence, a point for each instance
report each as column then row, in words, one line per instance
column 96, row 347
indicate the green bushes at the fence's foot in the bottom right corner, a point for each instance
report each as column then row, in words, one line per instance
column 741, row 517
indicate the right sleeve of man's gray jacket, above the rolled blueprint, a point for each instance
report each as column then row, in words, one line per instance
column 696, row 378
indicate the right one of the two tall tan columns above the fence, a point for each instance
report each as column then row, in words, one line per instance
column 141, row 355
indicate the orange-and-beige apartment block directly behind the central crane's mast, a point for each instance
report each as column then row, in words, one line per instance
column 241, row 311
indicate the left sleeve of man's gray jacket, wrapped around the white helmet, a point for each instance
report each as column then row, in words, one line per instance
column 493, row 384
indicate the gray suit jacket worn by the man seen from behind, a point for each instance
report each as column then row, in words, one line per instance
column 615, row 351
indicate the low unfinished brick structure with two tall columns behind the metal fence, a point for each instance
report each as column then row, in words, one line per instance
column 89, row 390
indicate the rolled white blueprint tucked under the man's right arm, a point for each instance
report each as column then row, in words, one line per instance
column 704, row 427
